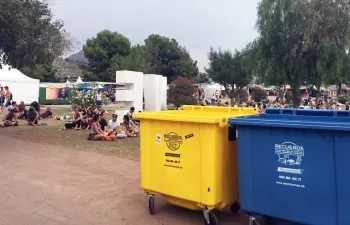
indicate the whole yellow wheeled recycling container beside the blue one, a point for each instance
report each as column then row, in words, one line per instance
column 189, row 156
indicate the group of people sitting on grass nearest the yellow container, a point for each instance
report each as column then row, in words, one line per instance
column 93, row 120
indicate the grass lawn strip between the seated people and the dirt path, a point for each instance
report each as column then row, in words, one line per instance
column 53, row 134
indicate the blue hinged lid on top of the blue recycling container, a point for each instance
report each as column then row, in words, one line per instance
column 298, row 119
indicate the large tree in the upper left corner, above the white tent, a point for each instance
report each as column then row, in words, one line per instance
column 29, row 35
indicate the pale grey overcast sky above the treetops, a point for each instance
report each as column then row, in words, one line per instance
column 195, row 24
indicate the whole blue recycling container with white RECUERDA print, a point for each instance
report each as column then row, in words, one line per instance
column 293, row 165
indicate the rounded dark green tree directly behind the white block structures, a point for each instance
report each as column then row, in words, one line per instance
column 169, row 59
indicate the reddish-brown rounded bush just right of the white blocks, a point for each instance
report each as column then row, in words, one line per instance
column 181, row 92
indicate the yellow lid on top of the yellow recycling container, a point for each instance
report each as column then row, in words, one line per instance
column 198, row 114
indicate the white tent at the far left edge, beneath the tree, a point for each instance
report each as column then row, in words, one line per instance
column 23, row 88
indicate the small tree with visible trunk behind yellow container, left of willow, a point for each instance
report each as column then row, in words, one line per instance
column 229, row 70
